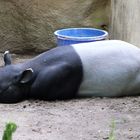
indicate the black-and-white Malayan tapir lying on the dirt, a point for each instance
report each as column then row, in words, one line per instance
column 108, row 68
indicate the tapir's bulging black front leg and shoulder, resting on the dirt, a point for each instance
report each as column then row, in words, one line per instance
column 59, row 81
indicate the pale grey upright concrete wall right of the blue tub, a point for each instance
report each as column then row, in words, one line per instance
column 125, row 21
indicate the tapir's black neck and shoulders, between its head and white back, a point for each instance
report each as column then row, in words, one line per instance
column 58, row 74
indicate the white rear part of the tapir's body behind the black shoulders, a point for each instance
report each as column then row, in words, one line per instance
column 111, row 68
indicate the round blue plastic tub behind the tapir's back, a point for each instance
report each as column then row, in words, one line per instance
column 79, row 35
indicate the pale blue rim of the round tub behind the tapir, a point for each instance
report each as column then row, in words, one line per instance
column 67, row 37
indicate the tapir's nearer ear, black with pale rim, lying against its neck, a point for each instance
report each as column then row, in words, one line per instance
column 26, row 76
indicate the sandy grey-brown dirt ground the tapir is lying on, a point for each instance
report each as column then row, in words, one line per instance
column 78, row 119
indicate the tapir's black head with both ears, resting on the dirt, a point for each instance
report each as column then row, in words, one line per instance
column 14, row 81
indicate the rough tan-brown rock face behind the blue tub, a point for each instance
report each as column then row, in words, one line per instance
column 27, row 26
